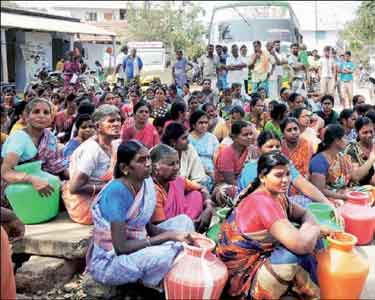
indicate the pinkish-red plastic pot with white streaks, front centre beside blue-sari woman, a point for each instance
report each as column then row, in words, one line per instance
column 196, row 272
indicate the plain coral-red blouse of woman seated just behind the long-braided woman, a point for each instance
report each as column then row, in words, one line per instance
column 229, row 161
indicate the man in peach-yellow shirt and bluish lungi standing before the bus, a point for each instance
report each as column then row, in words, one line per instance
column 259, row 64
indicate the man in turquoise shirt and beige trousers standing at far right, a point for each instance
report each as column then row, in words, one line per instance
column 346, row 77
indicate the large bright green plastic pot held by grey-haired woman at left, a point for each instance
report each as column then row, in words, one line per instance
column 27, row 204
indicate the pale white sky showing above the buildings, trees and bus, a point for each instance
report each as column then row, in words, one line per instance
column 330, row 13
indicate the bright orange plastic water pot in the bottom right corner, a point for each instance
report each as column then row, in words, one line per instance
column 342, row 271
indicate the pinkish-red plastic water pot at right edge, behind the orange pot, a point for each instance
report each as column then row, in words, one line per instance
column 359, row 221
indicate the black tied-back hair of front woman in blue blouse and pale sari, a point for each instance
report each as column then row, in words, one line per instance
column 125, row 154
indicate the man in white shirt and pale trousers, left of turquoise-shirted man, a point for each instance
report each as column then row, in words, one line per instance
column 327, row 73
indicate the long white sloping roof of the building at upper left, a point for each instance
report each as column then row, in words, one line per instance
column 14, row 18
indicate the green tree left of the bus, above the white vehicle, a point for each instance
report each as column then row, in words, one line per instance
column 178, row 28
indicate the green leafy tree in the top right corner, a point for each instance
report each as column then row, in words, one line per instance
column 359, row 34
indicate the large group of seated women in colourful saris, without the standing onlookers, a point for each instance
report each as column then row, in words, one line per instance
column 146, row 184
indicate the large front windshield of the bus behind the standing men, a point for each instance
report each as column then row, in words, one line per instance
column 252, row 22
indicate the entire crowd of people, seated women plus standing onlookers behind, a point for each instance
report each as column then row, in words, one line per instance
column 150, row 167
